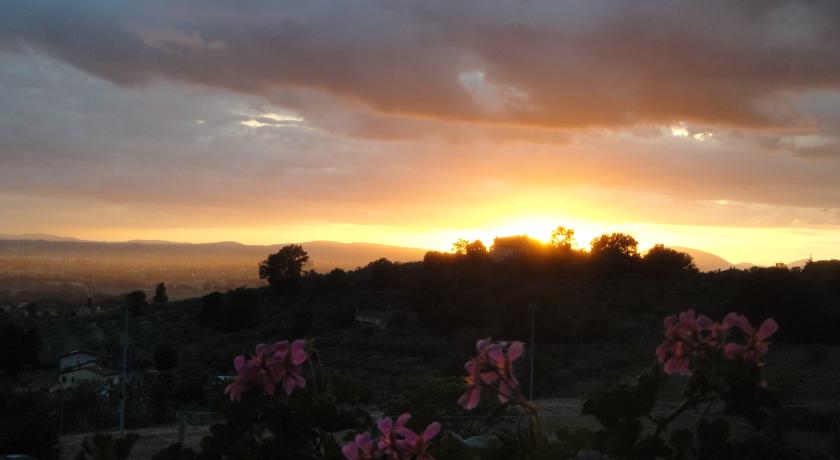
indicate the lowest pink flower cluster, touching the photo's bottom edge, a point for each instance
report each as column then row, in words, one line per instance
column 396, row 442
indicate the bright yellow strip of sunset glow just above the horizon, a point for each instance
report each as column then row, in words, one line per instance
column 736, row 245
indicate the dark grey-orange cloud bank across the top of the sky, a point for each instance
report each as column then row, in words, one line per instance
column 554, row 64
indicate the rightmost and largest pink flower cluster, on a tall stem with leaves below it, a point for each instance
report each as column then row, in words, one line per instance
column 688, row 336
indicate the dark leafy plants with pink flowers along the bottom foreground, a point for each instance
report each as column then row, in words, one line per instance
column 307, row 419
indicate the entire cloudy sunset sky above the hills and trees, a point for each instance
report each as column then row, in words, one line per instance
column 713, row 125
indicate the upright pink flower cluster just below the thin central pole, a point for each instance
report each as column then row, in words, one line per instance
column 492, row 368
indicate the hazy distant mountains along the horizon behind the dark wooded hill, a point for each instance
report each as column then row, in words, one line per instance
column 324, row 255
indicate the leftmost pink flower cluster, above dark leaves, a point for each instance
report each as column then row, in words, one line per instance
column 274, row 364
